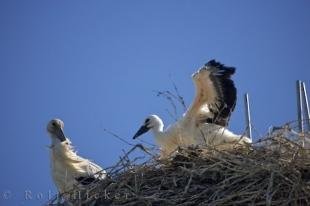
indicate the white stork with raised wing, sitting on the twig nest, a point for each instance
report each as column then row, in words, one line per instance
column 206, row 120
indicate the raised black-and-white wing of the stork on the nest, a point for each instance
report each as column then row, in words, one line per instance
column 215, row 94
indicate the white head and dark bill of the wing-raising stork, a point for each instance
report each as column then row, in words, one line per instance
column 151, row 122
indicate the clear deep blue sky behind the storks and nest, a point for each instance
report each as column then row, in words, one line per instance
column 96, row 65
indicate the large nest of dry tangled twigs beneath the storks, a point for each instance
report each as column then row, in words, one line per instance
column 274, row 171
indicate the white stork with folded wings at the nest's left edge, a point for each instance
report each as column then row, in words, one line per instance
column 68, row 168
